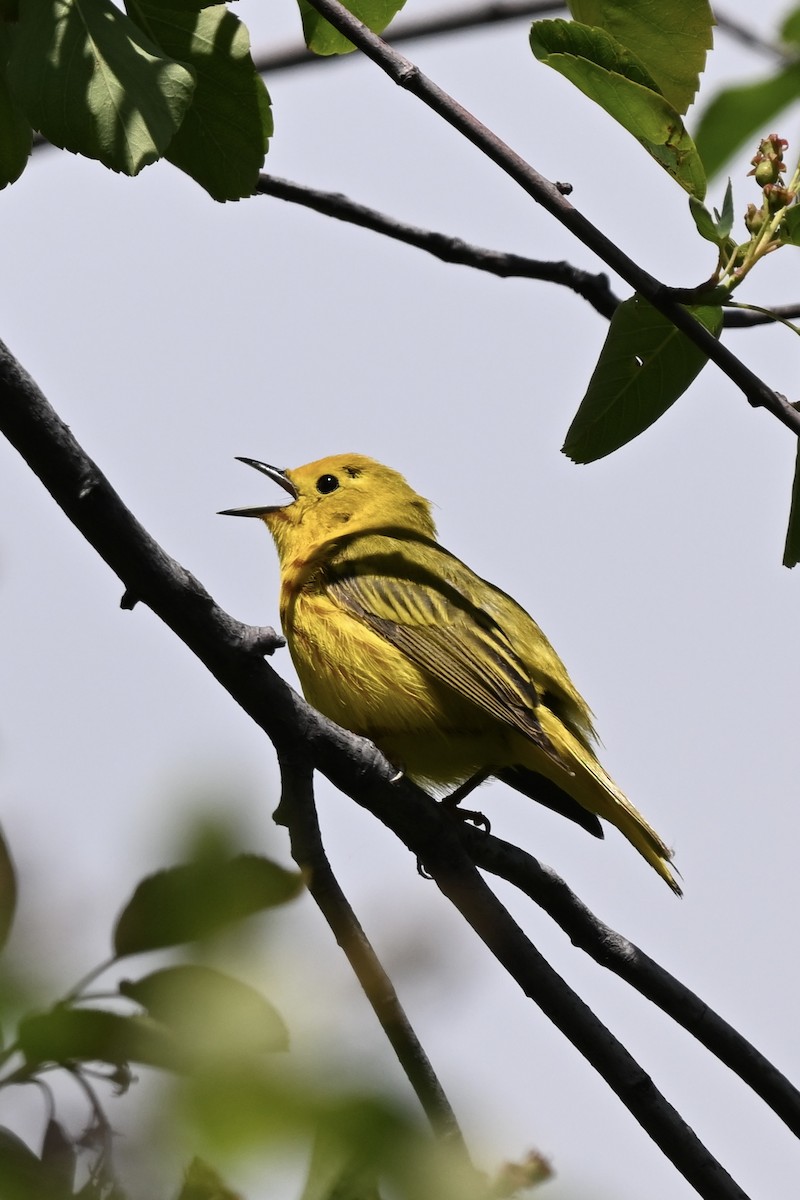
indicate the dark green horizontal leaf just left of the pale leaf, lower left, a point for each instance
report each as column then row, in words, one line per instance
column 95, row 1035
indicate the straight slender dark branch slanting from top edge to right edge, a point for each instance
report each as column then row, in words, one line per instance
column 407, row 76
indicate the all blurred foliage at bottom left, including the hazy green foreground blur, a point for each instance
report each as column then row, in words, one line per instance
column 226, row 1045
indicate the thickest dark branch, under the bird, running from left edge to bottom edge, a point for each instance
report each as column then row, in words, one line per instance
column 352, row 764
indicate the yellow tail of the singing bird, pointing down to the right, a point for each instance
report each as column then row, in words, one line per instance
column 597, row 791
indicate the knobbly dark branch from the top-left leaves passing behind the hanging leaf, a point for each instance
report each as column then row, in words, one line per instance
column 594, row 289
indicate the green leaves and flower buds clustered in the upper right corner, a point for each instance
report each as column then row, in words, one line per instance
column 643, row 64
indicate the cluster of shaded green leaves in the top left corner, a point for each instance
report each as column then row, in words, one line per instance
column 160, row 81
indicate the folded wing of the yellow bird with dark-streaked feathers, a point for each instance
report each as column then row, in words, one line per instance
column 429, row 605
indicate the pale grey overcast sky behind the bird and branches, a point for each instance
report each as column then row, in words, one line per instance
column 173, row 334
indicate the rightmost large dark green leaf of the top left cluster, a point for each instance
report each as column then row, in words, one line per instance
column 225, row 135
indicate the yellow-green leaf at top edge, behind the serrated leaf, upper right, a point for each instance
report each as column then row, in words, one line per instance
column 672, row 40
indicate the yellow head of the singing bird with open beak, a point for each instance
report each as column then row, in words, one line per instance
column 335, row 497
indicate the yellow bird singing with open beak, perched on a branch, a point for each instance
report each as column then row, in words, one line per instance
column 398, row 640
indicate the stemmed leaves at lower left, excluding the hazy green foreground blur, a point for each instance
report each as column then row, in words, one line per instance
column 188, row 1019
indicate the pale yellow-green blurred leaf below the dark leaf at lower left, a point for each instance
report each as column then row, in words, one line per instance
column 209, row 1011
